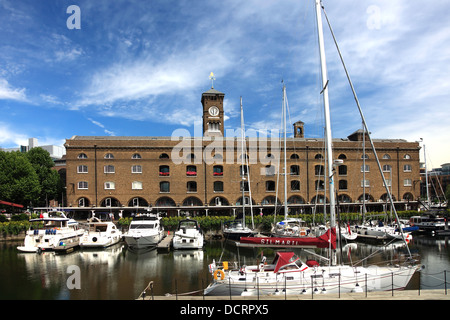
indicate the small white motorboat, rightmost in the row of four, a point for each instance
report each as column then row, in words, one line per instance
column 188, row 235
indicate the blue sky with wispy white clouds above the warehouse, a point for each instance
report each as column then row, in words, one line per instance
column 139, row 68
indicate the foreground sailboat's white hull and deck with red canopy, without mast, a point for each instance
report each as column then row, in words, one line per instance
column 288, row 274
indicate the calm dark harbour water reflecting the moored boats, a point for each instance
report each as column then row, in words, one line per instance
column 117, row 273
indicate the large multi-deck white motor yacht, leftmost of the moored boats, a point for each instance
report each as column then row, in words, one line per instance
column 51, row 230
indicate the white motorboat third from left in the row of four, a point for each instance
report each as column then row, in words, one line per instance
column 145, row 231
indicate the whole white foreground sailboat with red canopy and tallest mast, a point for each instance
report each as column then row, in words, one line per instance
column 288, row 272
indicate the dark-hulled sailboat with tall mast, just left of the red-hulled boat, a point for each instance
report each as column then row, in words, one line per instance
column 235, row 229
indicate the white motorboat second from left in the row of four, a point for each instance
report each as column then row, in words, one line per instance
column 100, row 233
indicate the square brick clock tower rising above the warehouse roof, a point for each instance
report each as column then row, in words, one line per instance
column 212, row 102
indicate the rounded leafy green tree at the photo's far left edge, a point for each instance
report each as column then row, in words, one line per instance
column 19, row 182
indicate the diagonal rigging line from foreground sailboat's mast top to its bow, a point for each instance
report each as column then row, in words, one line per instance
column 365, row 125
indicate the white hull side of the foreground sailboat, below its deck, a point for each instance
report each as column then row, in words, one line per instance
column 341, row 279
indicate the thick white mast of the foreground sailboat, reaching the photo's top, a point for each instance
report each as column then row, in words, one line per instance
column 327, row 114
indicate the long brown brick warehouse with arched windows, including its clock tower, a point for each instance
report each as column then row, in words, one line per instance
column 207, row 175
